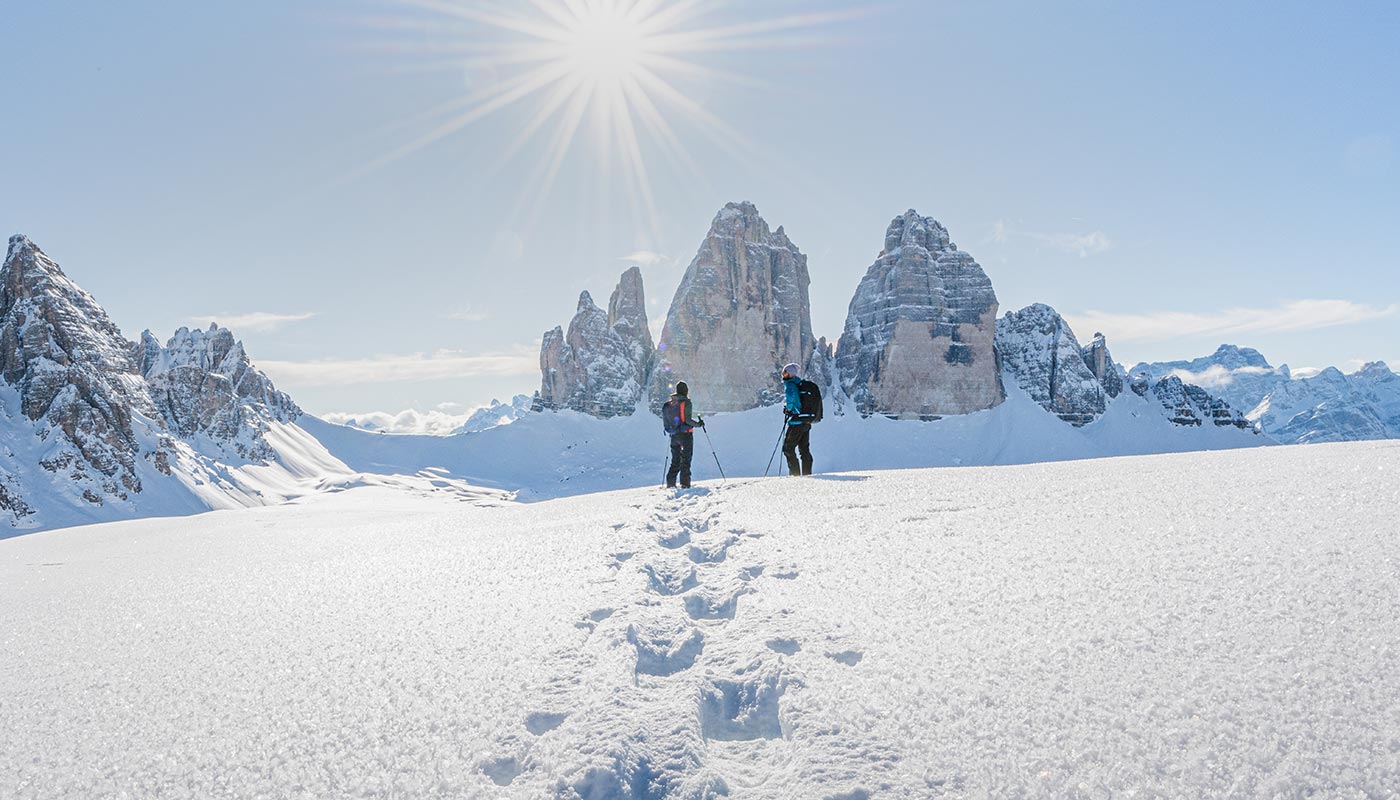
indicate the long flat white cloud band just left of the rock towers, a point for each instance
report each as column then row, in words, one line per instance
column 408, row 368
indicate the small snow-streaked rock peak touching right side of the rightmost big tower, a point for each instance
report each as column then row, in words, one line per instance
column 1042, row 355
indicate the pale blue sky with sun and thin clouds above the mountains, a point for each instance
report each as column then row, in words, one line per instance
column 355, row 188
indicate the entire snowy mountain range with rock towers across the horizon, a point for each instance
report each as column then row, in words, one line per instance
column 96, row 428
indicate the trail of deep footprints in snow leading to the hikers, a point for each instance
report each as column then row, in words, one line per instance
column 701, row 680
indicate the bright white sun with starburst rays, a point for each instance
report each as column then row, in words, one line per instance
column 604, row 82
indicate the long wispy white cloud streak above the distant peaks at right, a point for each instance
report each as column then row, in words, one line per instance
column 1163, row 326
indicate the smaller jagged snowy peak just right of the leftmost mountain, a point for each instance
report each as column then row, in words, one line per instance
column 204, row 385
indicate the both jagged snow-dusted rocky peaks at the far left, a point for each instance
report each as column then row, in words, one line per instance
column 93, row 421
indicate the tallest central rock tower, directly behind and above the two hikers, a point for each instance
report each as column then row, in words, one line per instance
column 740, row 315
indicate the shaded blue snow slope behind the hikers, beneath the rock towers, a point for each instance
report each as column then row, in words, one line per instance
column 558, row 455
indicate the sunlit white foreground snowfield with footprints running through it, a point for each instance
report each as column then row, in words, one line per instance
column 1200, row 626
